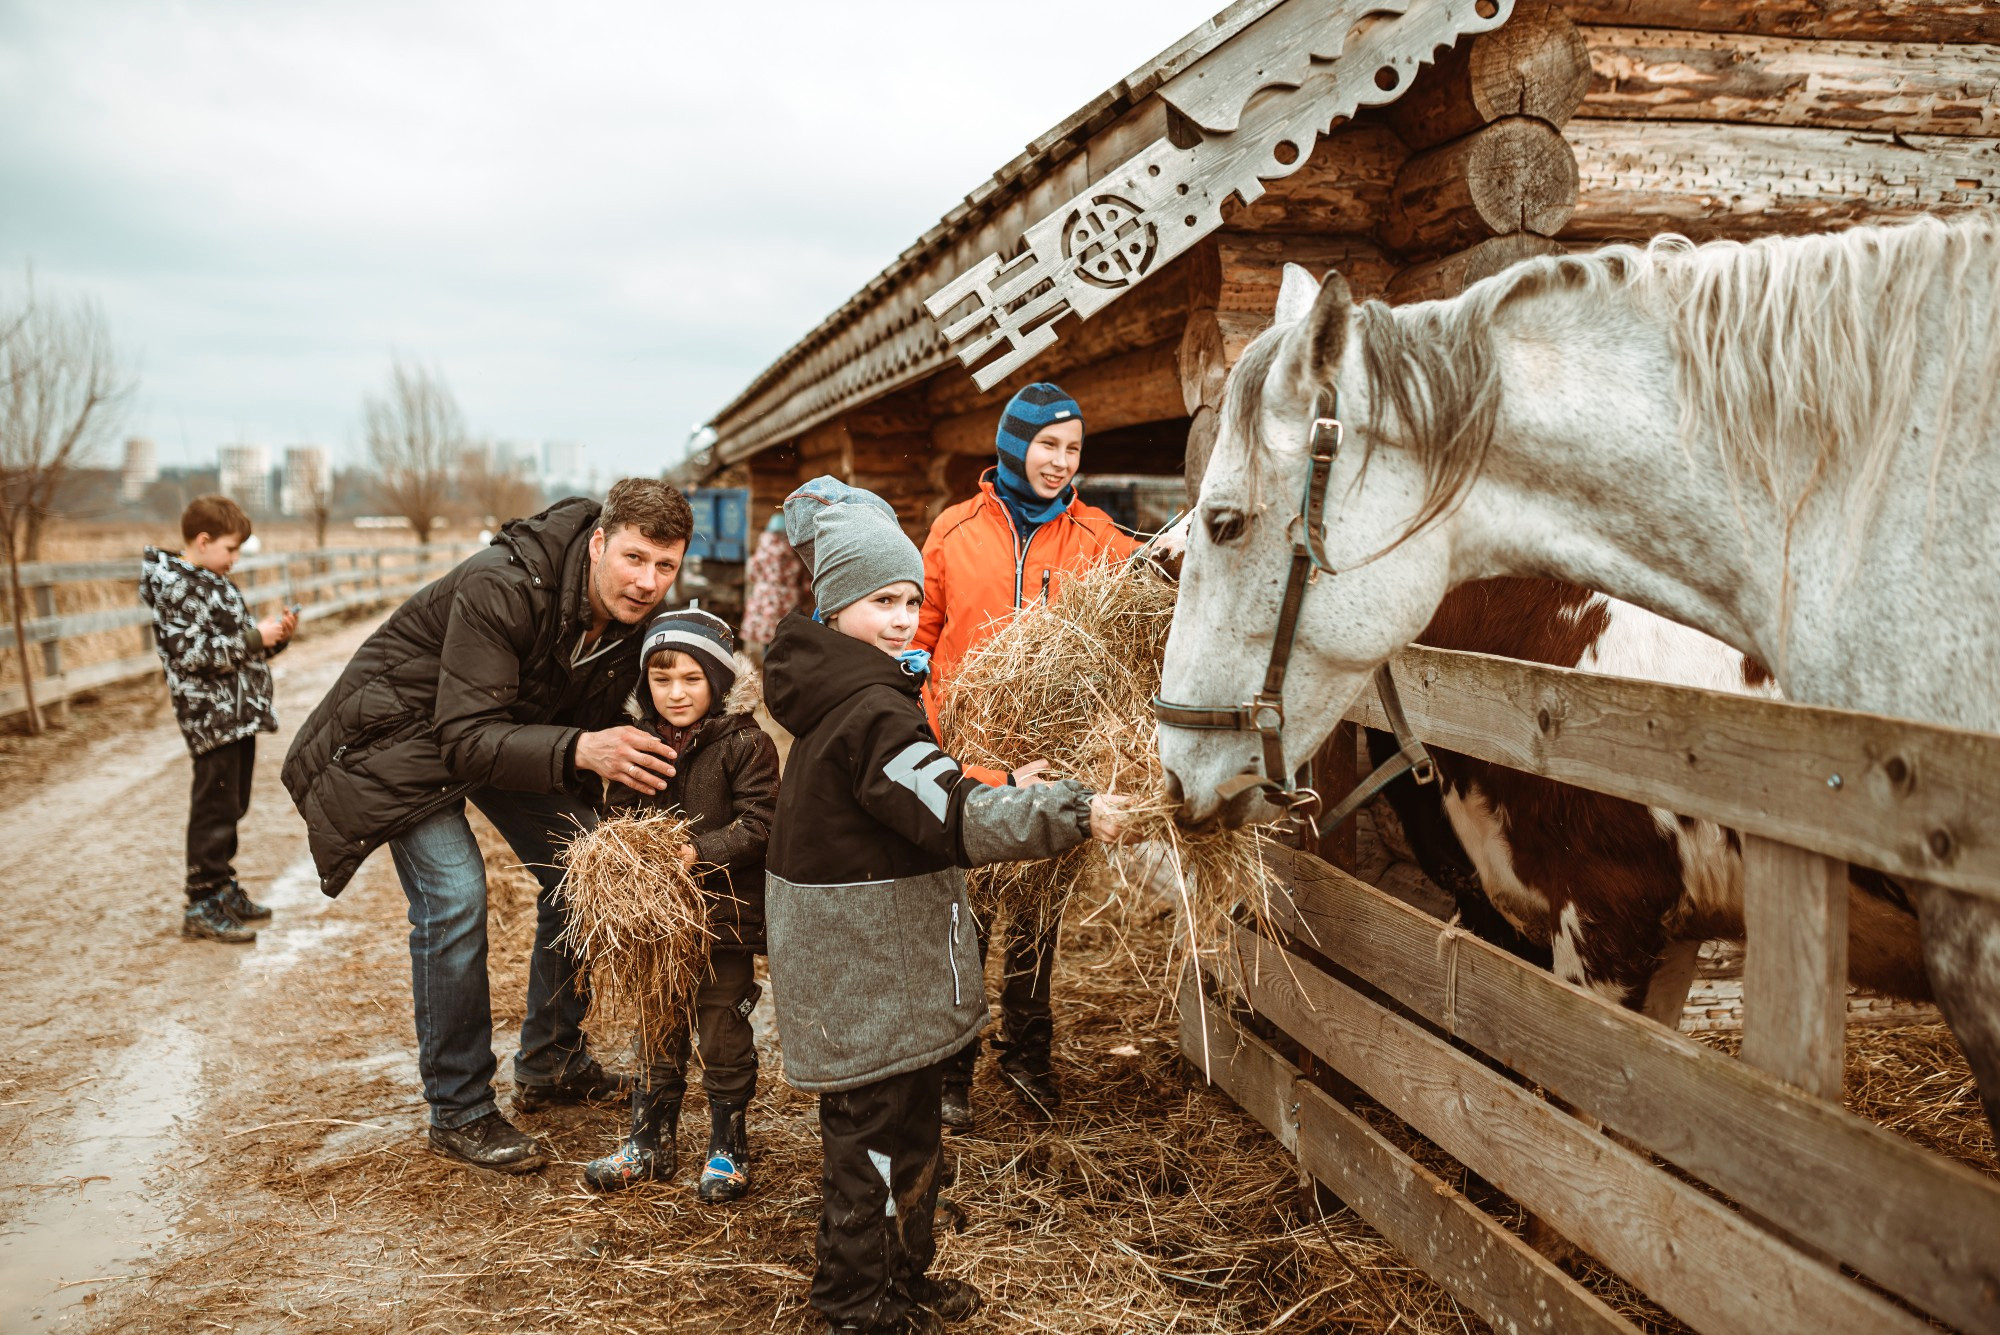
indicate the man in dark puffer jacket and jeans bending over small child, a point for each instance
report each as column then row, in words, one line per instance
column 495, row 686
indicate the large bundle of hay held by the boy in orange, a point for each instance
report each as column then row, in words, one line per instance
column 1071, row 682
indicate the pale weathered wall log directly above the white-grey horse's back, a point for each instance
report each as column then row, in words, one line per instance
column 1637, row 179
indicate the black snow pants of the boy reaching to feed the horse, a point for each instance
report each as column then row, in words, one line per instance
column 879, row 1186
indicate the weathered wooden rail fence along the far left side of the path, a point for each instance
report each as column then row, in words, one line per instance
column 371, row 577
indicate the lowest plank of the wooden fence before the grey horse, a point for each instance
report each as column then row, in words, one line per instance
column 1453, row 1240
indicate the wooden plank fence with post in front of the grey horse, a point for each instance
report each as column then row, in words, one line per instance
column 1787, row 1186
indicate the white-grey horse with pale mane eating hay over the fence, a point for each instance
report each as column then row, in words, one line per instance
column 1791, row 445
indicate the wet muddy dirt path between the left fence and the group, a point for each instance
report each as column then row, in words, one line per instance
column 125, row 1036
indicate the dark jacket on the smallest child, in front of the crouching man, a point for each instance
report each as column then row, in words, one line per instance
column 727, row 782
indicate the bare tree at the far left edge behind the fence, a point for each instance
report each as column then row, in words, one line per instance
column 61, row 387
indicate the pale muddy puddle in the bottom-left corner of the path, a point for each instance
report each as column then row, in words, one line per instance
column 103, row 1218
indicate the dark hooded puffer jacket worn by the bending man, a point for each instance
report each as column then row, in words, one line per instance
column 479, row 680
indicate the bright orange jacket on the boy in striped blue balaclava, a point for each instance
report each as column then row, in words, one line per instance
column 977, row 577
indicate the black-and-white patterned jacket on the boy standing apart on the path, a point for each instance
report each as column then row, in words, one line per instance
column 215, row 657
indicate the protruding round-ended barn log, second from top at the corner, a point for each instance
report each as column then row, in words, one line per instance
column 1517, row 175
